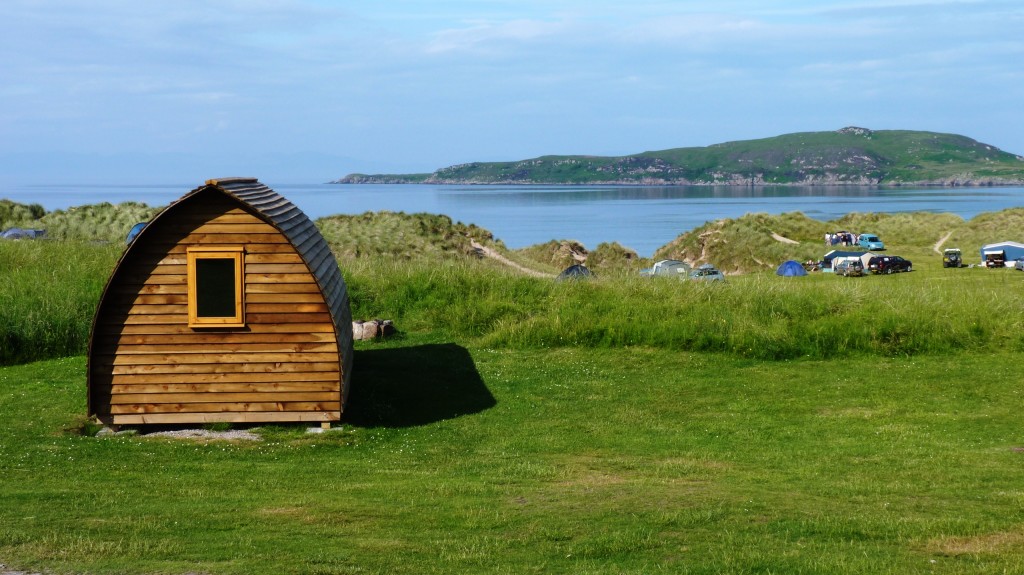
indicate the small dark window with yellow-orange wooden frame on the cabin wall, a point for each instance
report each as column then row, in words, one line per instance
column 217, row 287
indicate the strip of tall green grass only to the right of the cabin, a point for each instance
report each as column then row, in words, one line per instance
column 758, row 317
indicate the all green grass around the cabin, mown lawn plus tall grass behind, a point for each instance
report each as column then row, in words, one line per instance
column 518, row 425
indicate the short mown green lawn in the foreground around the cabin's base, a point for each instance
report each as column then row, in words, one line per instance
column 458, row 459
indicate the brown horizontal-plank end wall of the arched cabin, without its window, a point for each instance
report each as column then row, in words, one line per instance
column 148, row 367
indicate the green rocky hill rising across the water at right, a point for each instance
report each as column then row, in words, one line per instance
column 850, row 156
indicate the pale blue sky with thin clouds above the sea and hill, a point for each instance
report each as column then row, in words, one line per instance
column 306, row 92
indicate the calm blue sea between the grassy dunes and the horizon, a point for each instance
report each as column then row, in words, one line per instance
column 641, row 218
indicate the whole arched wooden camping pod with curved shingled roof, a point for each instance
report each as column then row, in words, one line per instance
column 228, row 307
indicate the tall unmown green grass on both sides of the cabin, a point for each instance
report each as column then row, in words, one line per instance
column 51, row 290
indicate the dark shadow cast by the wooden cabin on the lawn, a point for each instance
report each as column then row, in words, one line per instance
column 416, row 386
